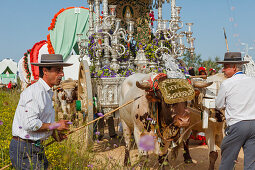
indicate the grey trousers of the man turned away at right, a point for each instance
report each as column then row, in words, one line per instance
column 241, row 134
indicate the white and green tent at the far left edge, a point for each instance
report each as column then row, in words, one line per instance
column 8, row 71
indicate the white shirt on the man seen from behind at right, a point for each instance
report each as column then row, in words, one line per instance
column 237, row 96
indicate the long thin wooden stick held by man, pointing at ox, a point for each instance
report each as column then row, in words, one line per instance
column 75, row 130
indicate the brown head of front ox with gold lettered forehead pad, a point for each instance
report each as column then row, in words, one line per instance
column 173, row 108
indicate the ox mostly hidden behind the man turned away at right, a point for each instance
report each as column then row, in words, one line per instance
column 216, row 125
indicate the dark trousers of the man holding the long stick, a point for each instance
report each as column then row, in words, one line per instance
column 26, row 155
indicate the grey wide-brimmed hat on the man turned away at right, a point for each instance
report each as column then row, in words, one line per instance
column 232, row 58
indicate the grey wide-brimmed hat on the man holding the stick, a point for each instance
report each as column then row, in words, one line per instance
column 52, row 60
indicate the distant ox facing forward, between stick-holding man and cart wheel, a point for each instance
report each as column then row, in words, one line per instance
column 66, row 96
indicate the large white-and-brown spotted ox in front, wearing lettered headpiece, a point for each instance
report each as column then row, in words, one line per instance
column 136, row 117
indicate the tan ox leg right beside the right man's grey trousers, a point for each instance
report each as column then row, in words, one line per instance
column 210, row 139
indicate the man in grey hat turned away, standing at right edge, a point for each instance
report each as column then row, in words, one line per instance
column 237, row 97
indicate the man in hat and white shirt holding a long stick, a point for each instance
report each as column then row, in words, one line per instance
column 34, row 117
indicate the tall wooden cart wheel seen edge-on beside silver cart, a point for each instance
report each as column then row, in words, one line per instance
column 86, row 101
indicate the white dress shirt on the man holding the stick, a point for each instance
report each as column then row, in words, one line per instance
column 35, row 108
